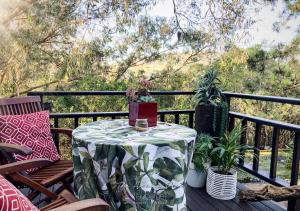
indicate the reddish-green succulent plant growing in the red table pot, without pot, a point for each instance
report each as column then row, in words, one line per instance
column 141, row 93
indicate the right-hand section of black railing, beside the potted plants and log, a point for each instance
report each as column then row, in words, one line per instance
column 277, row 126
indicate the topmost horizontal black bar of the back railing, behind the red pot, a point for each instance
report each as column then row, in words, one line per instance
column 86, row 93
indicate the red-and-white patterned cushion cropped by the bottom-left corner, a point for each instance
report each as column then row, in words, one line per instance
column 12, row 199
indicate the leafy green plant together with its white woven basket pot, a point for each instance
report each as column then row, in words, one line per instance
column 222, row 179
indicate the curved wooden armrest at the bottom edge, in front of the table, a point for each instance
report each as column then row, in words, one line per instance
column 88, row 204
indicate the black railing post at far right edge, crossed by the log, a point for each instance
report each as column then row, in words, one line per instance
column 295, row 204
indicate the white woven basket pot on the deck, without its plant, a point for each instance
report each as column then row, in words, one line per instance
column 221, row 186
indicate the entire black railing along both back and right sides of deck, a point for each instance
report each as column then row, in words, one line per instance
column 244, row 120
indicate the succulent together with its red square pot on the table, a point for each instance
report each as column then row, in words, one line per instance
column 141, row 104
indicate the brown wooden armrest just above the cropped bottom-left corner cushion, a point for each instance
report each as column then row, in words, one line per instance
column 23, row 165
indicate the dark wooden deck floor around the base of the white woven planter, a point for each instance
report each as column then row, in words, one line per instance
column 198, row 199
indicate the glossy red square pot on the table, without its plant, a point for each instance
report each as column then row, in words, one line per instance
column 143, row 111
